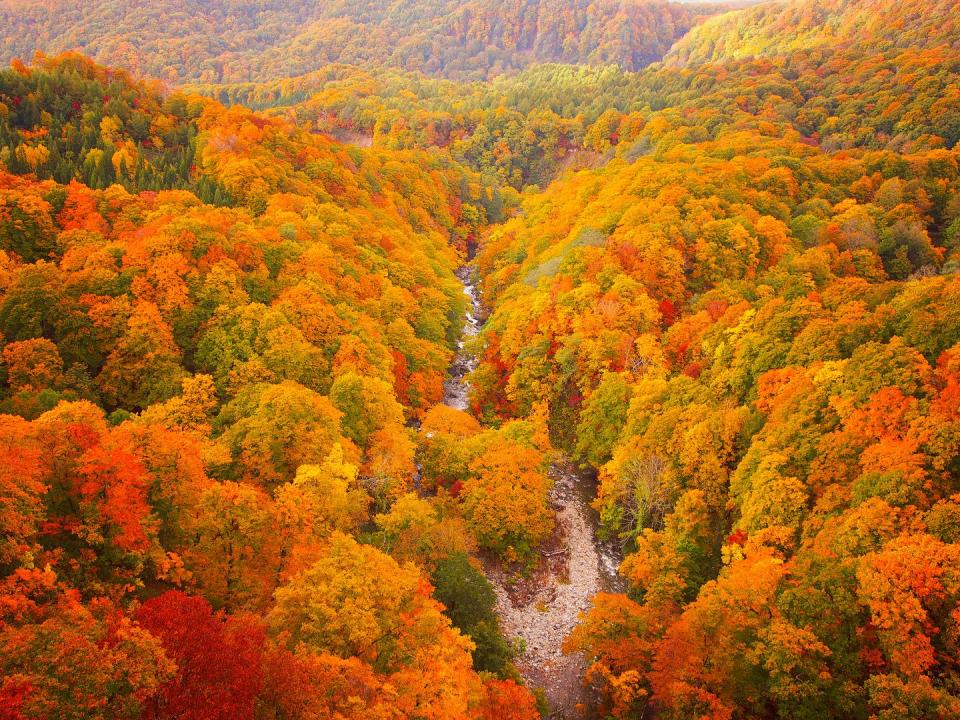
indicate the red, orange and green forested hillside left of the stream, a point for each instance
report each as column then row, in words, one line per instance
column 201, row 405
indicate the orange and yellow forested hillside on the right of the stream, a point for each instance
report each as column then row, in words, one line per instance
column 747, row 322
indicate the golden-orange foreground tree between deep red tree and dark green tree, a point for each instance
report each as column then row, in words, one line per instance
column 341, row 606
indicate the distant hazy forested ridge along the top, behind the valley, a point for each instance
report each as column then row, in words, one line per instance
column 226, row 41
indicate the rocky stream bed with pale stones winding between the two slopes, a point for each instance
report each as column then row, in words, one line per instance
column 542, row 609
